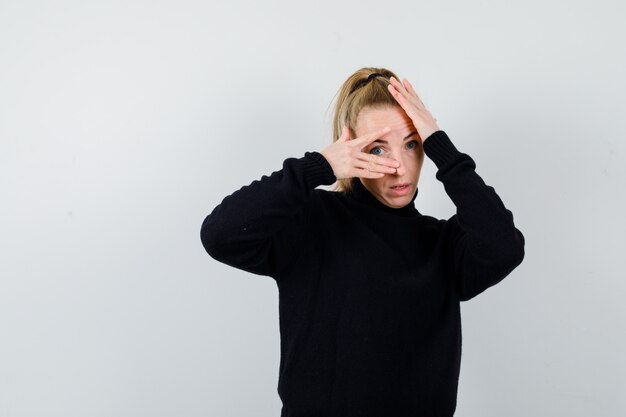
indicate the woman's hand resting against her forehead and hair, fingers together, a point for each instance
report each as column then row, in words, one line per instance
column 406, row 96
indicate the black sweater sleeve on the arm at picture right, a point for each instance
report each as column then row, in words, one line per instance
column 485, row 244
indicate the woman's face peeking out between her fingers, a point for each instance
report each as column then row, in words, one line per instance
column 402, row 143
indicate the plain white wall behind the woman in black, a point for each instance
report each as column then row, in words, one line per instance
column 123, row 123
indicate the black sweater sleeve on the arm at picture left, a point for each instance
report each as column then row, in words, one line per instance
column 258, row 228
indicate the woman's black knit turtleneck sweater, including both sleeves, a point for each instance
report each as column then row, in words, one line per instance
column 369, row 295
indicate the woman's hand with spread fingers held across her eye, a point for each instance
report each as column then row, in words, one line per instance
column 347, row 159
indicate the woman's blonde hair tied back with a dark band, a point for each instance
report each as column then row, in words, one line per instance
column 355, row 94
